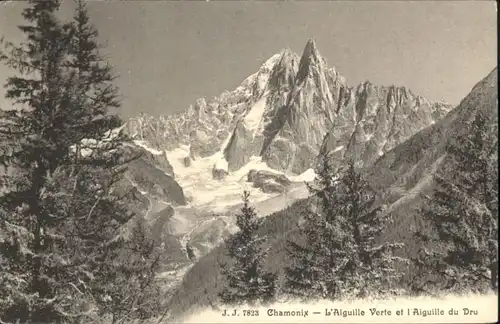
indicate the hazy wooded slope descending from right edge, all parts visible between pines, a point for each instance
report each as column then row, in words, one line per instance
column 399, row 176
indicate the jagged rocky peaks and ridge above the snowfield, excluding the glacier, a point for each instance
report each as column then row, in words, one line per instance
column 293, row 110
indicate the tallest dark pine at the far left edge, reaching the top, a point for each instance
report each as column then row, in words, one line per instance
column 27, row 143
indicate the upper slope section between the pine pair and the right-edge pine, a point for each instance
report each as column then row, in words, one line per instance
column 404, row 173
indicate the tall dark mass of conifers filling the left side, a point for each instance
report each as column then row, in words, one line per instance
column 65, row 255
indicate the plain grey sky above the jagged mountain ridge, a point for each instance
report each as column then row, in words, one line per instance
column 168, row 54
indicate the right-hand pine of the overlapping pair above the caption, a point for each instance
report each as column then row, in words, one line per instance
column 370, row 268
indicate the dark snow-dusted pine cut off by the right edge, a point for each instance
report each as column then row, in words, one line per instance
column 461, row 252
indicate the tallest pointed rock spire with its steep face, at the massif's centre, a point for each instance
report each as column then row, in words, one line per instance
column 297, row 129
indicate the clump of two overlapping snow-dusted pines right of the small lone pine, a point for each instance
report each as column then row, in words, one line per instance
column 342, row 255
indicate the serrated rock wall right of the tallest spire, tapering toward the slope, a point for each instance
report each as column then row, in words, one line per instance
column 378, row 118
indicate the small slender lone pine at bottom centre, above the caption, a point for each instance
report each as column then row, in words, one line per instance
column 246, row 280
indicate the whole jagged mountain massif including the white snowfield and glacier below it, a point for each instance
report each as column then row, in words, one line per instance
column 266, row 135
